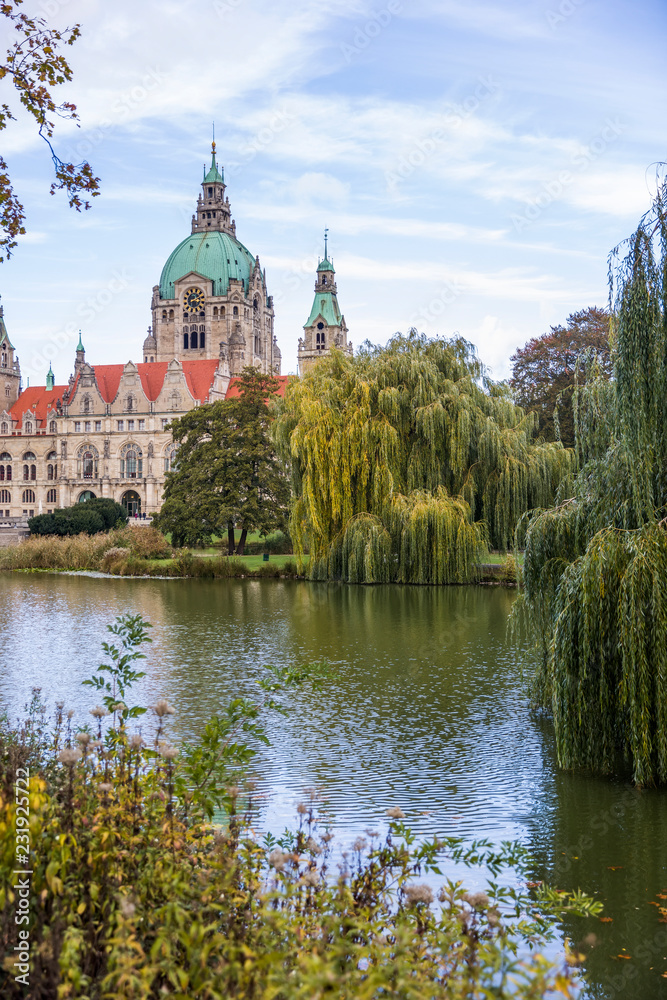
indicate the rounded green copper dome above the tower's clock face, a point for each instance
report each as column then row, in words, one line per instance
column 214, row 255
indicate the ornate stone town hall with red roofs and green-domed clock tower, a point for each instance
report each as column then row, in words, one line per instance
column 106, row 433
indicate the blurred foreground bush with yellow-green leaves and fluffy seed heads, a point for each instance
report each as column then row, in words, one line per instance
column 135, row 894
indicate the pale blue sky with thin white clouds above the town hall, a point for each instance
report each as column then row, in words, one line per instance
column 474, row 162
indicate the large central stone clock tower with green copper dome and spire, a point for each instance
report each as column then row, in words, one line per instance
column 212, row 301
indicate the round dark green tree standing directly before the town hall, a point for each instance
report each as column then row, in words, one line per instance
column 227, row 475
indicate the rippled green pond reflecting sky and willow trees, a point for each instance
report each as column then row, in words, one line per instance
column 429, row 712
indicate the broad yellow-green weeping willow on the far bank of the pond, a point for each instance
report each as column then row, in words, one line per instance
column 406, row 461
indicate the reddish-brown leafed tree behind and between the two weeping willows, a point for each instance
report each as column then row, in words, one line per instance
column 545, row 370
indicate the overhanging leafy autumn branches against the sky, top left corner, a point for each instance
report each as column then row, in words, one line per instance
column 34, row 64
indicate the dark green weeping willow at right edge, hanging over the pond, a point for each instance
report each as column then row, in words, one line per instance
column 595, row 569
